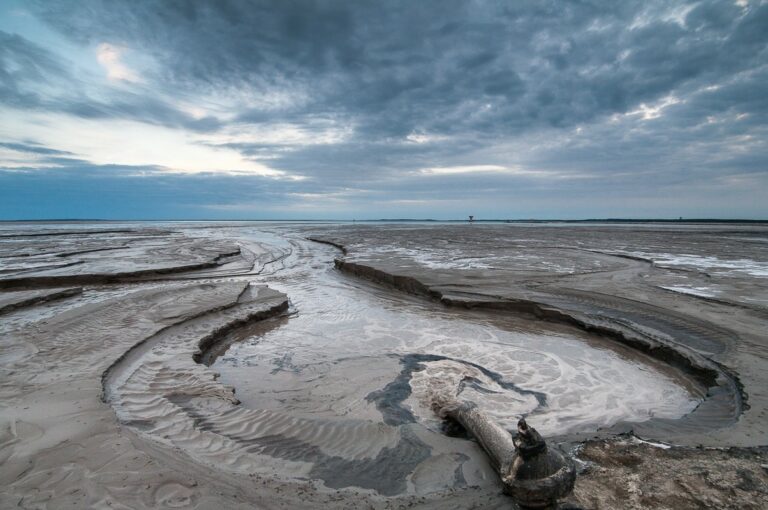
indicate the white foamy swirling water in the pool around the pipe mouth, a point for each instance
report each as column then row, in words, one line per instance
column 585, row 388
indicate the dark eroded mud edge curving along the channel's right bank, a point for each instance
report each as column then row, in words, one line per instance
column 725, row 400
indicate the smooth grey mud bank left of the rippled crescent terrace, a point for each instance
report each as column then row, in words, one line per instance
column 61, row 445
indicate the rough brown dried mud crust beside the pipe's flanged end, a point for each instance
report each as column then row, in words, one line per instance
column 630, row 475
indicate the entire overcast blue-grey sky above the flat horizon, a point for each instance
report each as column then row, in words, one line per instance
column 383, row 109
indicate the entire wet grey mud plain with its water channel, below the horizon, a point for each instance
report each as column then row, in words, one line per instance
column 236, row 365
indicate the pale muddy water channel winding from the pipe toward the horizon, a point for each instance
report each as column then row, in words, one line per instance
column 350, row 352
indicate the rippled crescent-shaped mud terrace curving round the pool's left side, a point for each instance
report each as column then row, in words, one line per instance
column 160, row 390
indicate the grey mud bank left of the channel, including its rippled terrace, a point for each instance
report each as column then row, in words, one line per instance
column 104, row 404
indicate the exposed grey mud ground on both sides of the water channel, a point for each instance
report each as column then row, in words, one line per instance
column 104, row 402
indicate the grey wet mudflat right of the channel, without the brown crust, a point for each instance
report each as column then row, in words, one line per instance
column 598, row 281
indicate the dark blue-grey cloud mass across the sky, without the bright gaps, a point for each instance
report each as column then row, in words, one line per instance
column 661, row 93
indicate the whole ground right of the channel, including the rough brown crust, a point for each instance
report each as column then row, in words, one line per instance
column 693, row 296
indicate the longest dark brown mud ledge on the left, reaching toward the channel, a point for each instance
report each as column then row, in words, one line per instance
column 28, row 282
